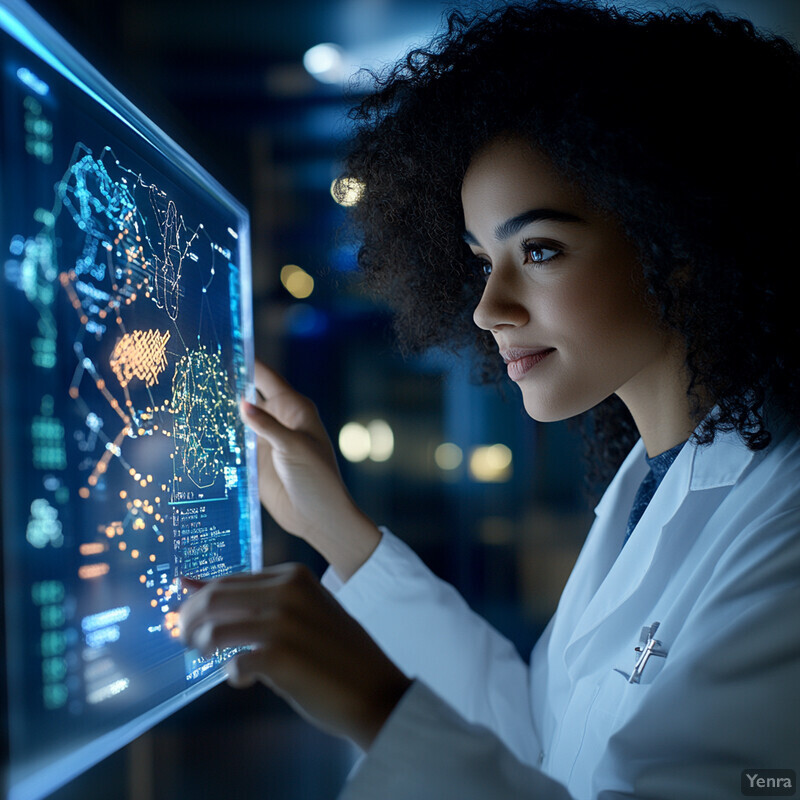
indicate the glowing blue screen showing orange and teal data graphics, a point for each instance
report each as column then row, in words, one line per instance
column 125, row 348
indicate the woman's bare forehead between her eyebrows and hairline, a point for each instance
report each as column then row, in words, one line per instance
column 508, row 177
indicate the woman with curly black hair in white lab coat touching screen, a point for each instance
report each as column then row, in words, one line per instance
column 612, row 198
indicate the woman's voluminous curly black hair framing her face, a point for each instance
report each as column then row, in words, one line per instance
column 683, row 127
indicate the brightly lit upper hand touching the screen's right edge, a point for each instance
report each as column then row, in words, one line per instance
column 299, row 480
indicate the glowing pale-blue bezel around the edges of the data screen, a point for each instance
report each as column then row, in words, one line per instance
column 23, row 24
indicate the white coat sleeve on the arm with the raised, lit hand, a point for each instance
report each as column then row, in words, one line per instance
column 427, row 628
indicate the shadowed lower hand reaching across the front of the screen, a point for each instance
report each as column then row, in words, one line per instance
column 304, row 646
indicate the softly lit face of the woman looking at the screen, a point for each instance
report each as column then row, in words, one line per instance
column 564, row 292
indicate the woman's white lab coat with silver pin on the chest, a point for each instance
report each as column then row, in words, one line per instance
column 715, row 559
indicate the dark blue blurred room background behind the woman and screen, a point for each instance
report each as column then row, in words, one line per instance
column 226, row 81
